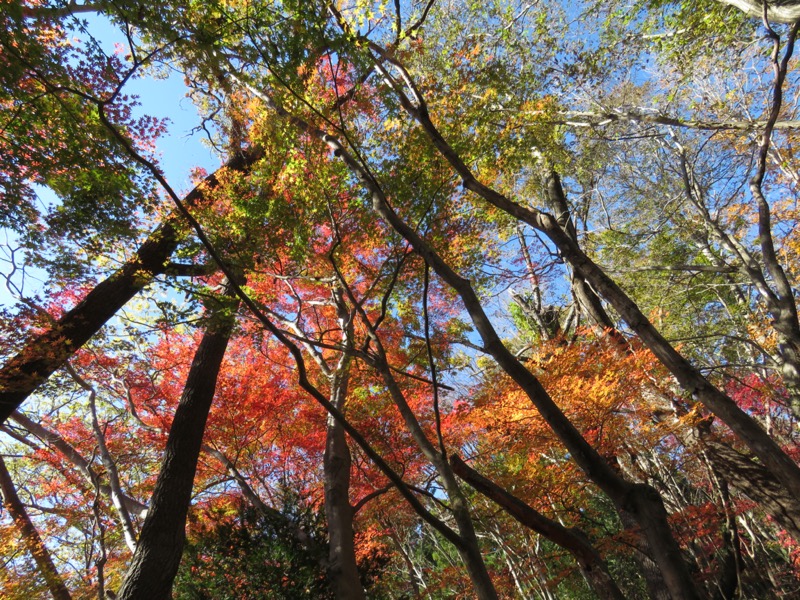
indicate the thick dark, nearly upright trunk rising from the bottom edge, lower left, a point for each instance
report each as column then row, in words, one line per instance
column 158, row 552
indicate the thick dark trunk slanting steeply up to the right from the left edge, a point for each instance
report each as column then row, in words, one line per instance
column 47, row 352
